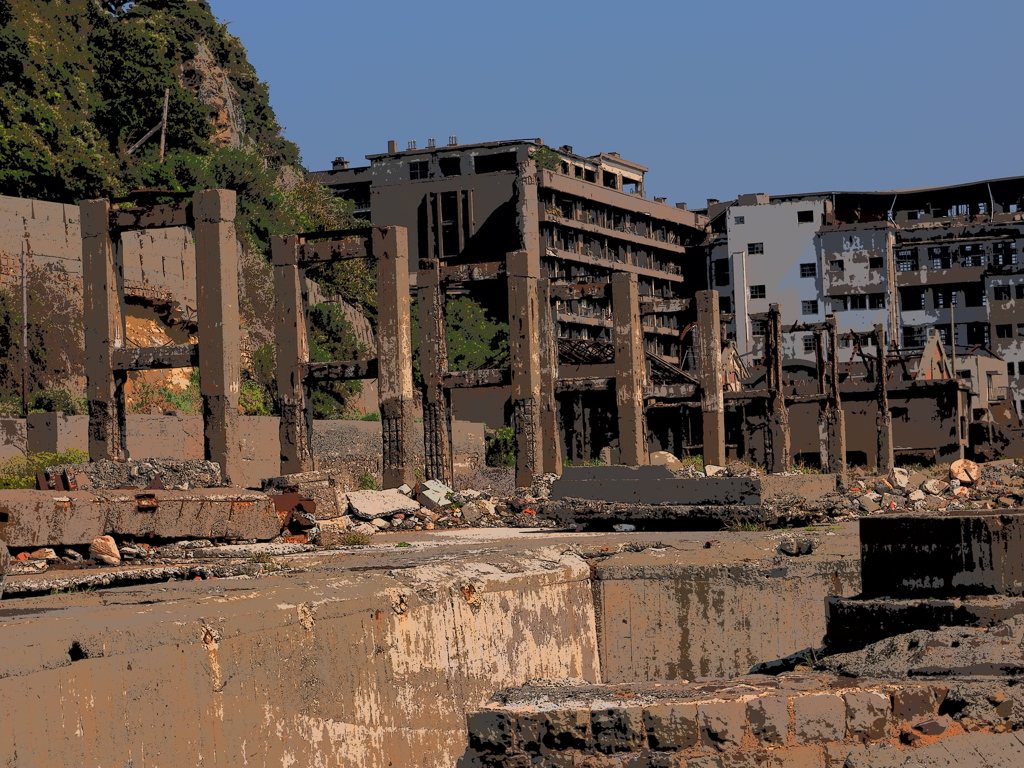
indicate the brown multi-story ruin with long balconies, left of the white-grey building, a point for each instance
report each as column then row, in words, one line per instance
column 582, row 218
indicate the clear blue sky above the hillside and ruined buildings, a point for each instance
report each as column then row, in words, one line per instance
column 717, row 99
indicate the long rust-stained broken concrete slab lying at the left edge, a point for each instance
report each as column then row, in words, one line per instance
column 39, row 519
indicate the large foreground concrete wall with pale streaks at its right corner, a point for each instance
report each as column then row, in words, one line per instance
column 355, row 670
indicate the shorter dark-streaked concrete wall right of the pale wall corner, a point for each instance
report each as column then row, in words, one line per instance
column 672, row 618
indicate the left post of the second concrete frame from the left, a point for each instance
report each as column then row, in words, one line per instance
column 291, row 336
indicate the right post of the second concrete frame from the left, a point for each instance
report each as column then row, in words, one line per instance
column 395, row 355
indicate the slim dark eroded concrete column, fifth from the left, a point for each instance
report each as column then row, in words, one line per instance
column 435, row 364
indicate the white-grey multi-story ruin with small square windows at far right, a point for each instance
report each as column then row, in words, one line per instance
column 944, row 259
